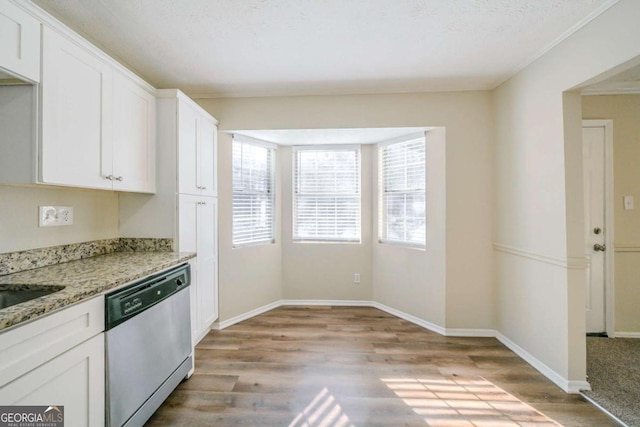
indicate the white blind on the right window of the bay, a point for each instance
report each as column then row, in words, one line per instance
column 402, row 192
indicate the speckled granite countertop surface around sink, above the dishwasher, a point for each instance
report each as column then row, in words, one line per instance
column 82, row 279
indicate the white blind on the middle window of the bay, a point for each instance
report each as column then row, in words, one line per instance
column 326, row 194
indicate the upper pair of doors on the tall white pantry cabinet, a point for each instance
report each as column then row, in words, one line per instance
column 197, row 142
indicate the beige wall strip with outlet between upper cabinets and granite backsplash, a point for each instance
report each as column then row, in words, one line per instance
column 95, row 217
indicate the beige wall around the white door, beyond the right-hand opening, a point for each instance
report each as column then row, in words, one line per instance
column 624, row 110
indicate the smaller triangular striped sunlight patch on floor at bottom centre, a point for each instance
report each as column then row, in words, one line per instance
column 323, row 411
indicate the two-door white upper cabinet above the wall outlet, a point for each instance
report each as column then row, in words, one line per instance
column 98, row 125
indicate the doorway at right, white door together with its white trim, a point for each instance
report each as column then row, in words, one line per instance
column 597, row 141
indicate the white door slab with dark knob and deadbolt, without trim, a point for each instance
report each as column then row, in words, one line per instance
column 593, row 140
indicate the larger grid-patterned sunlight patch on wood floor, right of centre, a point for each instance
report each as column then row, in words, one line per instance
column 473, row 402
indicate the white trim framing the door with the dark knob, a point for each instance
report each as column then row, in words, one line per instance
column 609, row 254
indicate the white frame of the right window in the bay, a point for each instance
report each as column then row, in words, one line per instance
column 382, row 217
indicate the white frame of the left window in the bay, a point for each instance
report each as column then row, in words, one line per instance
column 243, row 139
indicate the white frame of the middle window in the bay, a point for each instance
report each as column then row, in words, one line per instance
column 294, row 197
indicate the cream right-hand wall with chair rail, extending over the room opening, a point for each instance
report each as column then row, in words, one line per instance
column 539, row 213
